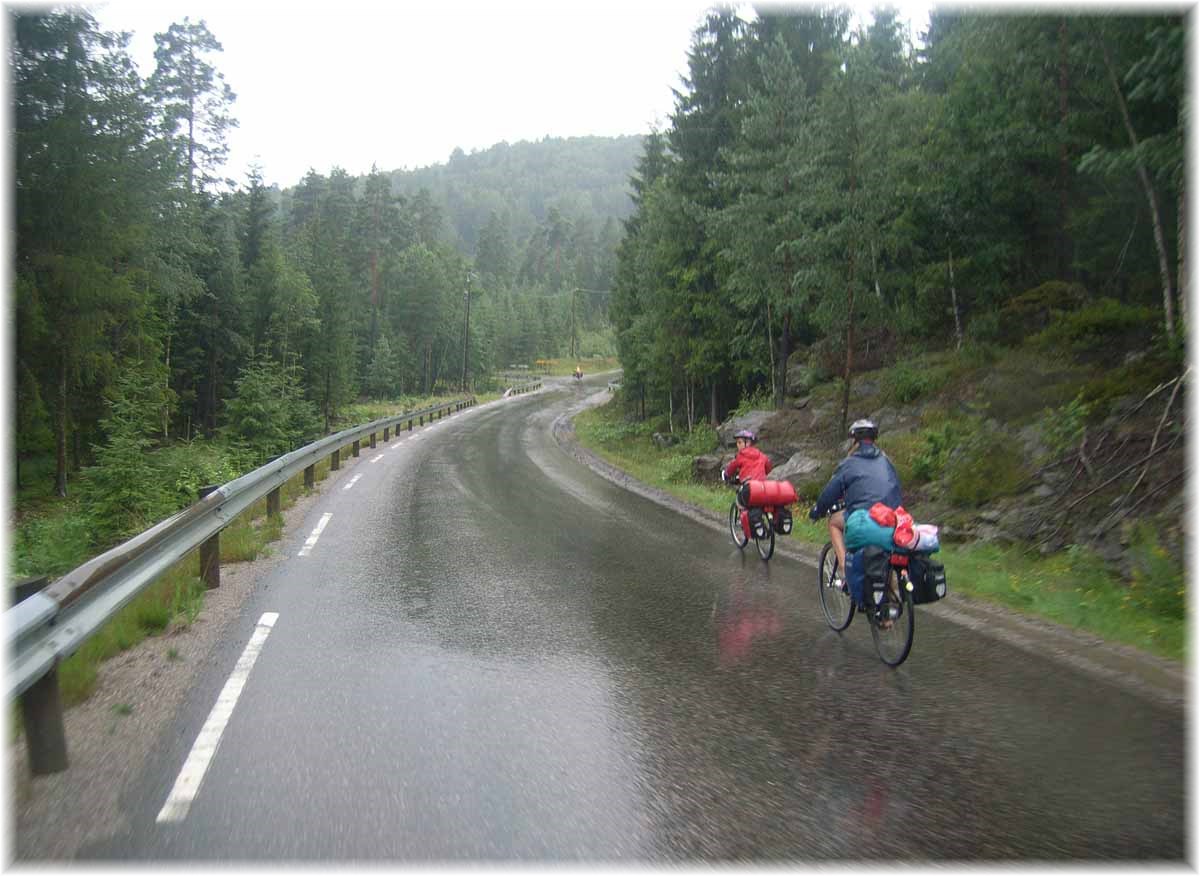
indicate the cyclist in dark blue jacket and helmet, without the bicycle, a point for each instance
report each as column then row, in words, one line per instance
column 866, row 477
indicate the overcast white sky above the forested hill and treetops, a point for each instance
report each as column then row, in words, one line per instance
column 403, row 85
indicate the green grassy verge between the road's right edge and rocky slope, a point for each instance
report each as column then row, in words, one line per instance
column 1073, row 589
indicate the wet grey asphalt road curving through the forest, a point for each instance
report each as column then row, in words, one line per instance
column 495, row 655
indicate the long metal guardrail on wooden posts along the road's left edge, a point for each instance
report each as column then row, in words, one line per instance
column 49, row 627
